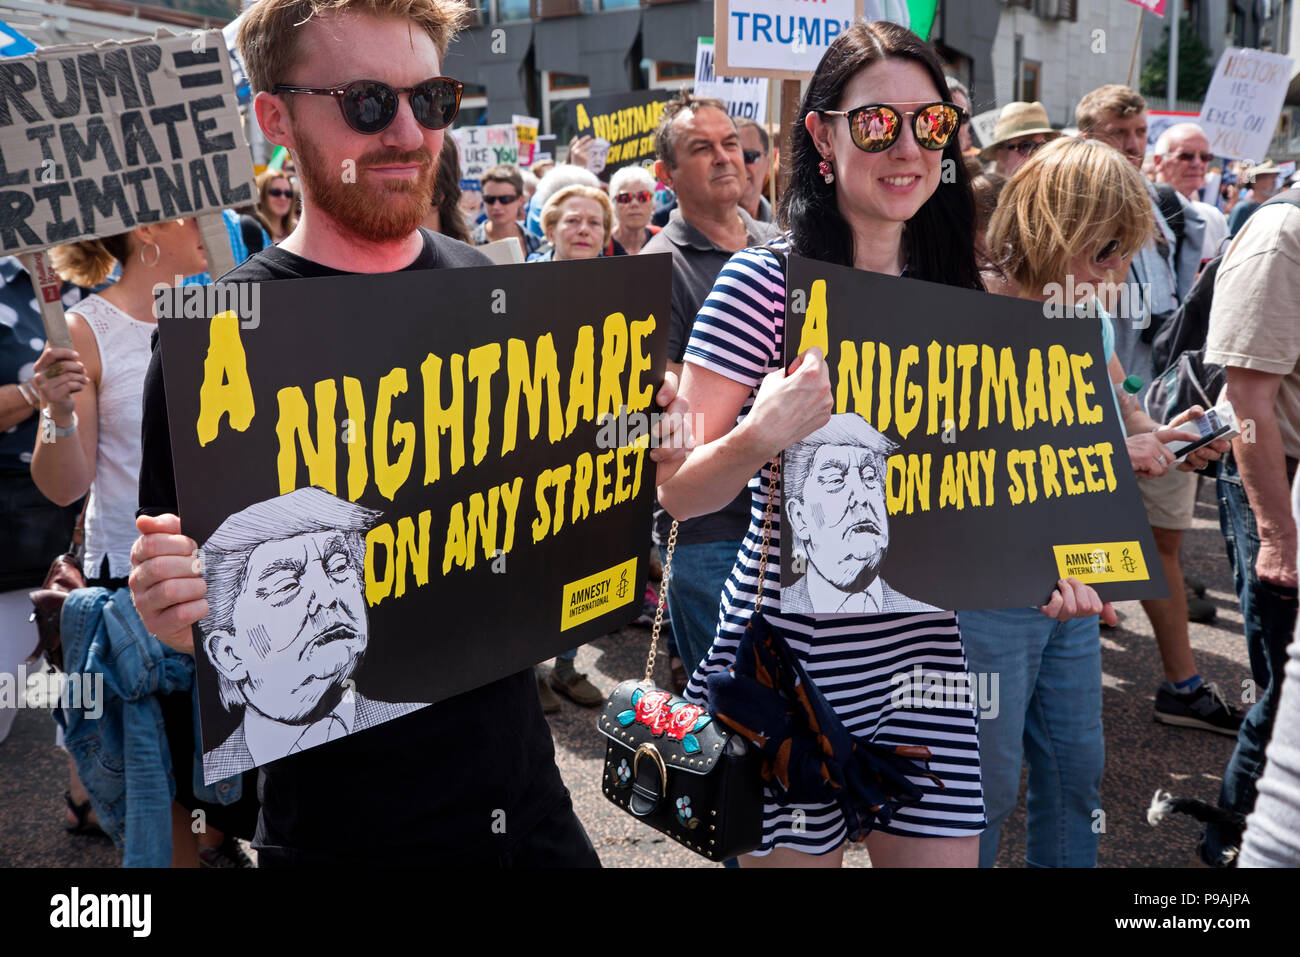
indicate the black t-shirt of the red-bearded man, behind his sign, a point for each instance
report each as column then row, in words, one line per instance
column 461, row 781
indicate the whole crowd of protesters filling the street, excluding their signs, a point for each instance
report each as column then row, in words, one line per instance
column 1026, row 213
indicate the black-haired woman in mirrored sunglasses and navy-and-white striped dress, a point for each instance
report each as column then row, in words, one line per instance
column 868, row 192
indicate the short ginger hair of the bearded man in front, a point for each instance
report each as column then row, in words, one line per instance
column 268, row 36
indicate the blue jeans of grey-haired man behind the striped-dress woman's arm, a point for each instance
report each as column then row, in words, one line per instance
column 696, row 586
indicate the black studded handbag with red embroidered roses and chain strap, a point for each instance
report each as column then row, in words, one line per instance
column 675, row 768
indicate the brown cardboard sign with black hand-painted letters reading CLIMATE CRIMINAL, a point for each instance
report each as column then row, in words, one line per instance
column 99, row 138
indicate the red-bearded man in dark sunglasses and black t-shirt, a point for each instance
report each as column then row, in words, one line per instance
column 471, row 781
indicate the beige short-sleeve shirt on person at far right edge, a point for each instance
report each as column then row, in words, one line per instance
column 1255, row 321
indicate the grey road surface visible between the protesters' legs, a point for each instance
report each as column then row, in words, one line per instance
column 1141, row 755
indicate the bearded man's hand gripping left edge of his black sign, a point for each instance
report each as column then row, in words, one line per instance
column 167, row 582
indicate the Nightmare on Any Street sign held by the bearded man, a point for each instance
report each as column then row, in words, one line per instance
column 443, row 452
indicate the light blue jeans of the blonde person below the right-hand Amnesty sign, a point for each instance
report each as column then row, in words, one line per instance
column 1048, row 712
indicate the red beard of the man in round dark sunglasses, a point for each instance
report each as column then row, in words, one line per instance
column 375, row 210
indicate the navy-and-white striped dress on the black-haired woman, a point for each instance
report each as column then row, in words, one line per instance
column 861, row 664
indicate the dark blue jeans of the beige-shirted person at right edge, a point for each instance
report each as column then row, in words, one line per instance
column 1269, row 614
